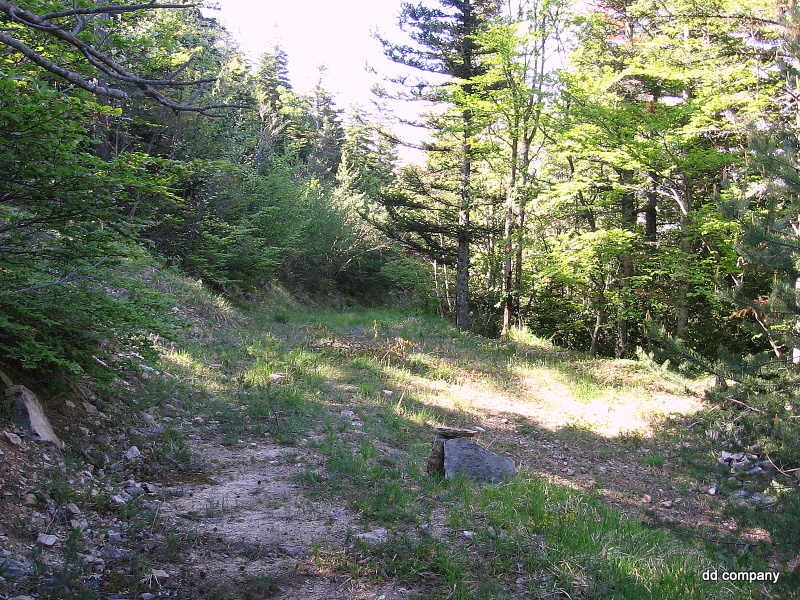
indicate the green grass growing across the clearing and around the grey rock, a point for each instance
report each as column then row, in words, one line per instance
column 529, row 538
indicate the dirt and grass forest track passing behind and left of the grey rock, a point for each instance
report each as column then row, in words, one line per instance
column 341, row 412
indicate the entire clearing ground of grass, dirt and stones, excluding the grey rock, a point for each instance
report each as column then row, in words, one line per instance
column 284, row 457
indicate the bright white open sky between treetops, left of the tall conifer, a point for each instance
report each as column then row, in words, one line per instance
column 334, row 33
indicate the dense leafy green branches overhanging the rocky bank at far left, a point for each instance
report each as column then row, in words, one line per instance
column 70, row 295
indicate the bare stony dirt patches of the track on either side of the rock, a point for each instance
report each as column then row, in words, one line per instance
column 253, row 517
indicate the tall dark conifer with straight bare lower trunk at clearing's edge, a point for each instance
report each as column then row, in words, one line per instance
column 446, row 45
